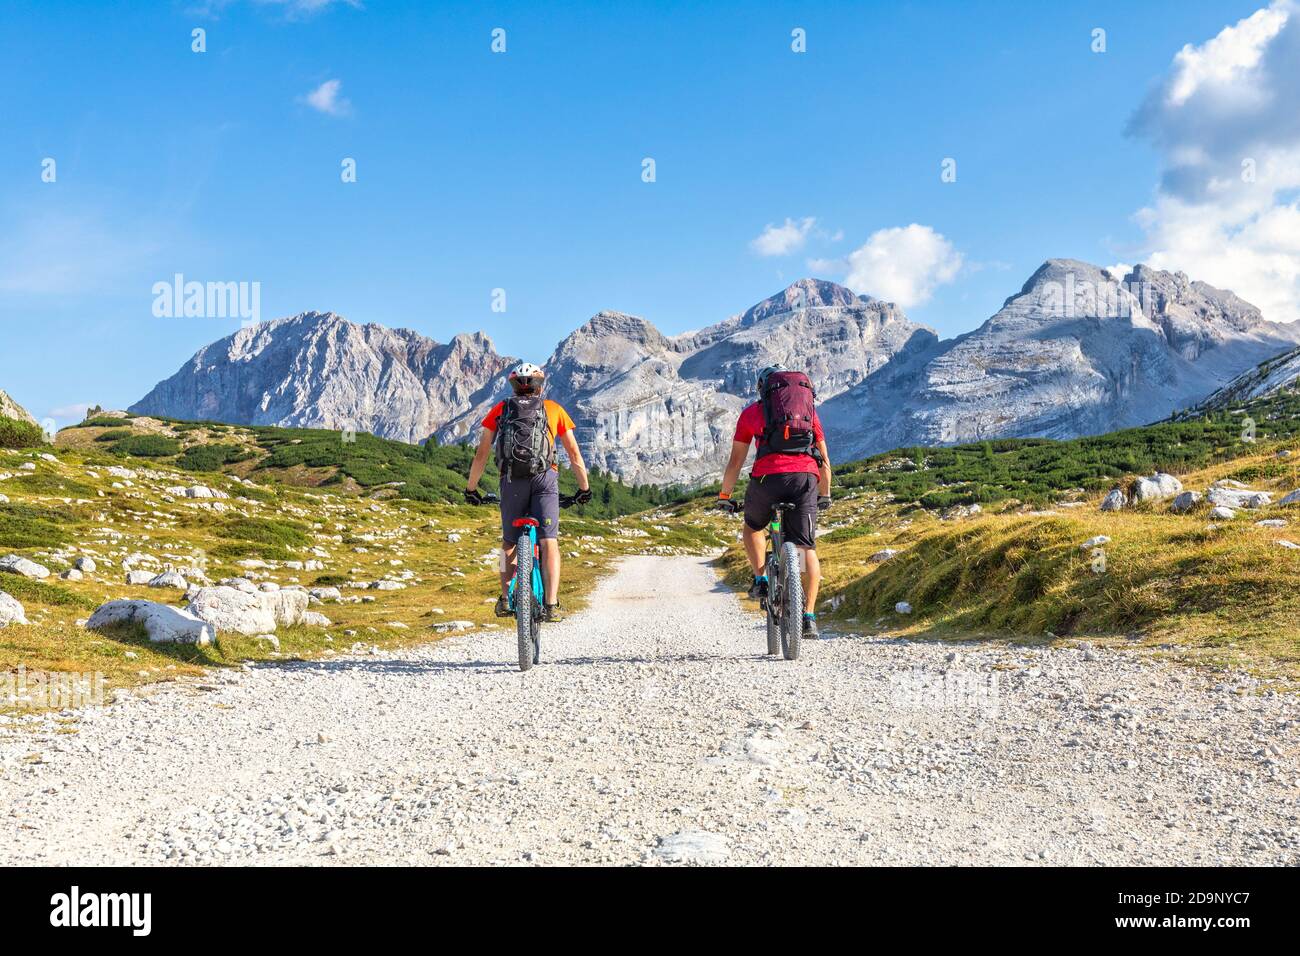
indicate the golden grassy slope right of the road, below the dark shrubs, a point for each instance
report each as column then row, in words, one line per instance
column 1221, row 592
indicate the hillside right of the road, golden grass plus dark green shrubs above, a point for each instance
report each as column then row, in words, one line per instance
column 1007, row 540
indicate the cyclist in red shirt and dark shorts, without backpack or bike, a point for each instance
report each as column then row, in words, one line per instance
column 801, row 479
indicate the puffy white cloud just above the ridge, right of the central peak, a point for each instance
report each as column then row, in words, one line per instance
column 904, row 265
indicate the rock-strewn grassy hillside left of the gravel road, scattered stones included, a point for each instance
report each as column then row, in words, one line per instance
column 103, row 526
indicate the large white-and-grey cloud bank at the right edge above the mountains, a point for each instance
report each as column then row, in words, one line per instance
column 1227, row 122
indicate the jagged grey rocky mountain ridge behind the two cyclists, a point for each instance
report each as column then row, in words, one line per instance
column 1078, row 351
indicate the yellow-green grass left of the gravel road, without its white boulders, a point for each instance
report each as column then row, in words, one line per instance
column 73, row 507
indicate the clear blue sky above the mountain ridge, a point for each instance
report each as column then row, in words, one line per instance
column 523, row 171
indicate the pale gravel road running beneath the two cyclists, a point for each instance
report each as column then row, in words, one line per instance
column 658, row 733
